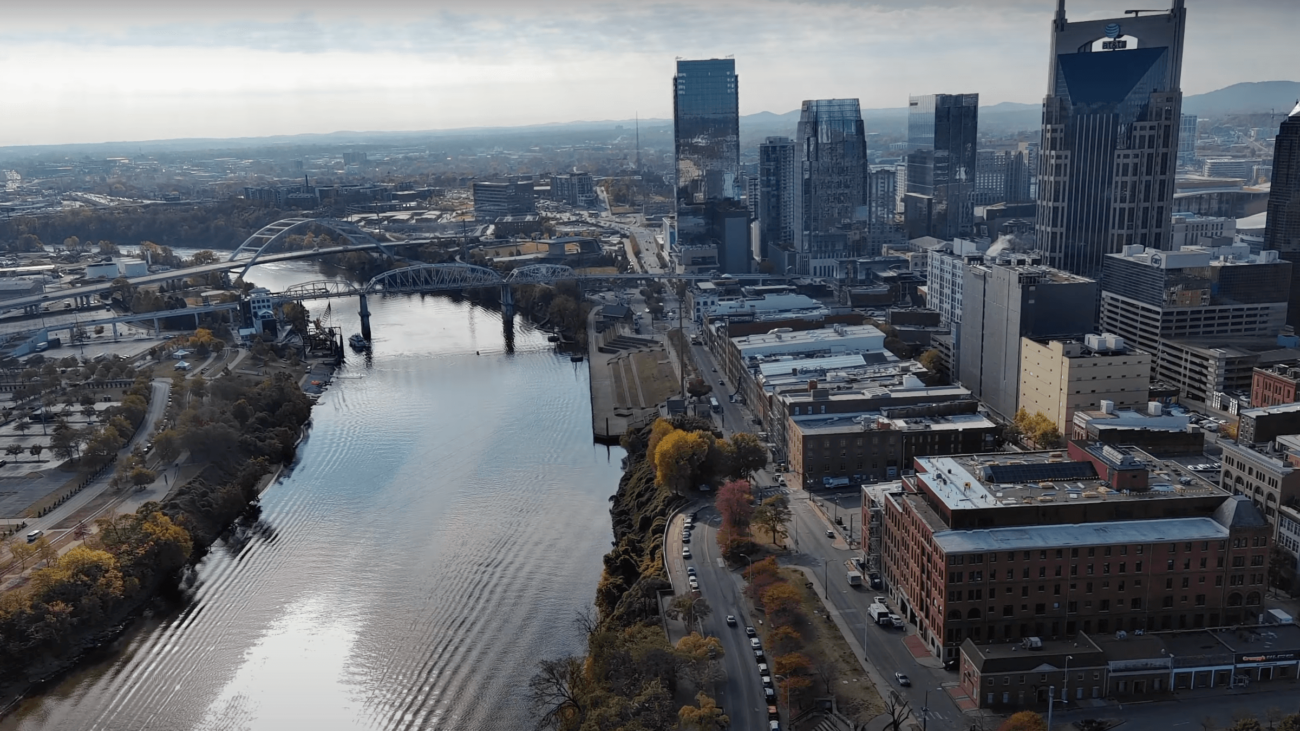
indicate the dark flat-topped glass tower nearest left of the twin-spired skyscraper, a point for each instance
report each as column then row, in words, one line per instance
column 942, row 139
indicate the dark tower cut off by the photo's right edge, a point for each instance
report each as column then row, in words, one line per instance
column 1282, row 230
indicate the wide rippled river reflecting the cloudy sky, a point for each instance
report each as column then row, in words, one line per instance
column 443, row 529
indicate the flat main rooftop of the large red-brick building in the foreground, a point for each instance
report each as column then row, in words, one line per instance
column 981, row 482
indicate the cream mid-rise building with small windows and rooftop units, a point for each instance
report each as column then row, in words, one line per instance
column 1061, row 377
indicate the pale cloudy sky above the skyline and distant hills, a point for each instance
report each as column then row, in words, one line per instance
column 79, row 71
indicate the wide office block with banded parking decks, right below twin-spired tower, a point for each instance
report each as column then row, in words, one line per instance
column 1199, row 310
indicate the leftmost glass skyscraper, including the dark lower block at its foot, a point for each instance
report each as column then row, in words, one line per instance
column 707, row 133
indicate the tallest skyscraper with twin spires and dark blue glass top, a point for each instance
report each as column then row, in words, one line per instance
column 1111, row 127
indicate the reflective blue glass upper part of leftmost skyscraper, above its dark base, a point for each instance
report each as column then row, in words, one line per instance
column 707, row 131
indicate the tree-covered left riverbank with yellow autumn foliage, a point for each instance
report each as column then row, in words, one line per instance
column 94, row 592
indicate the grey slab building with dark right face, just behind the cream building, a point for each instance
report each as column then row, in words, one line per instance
column 1006, row 301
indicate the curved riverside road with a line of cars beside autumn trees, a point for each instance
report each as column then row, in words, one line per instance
column 742, row 694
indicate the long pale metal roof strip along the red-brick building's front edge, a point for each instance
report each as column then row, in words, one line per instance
column 1082, row 535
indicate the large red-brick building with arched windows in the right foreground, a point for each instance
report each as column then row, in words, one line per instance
column 995, row 548
